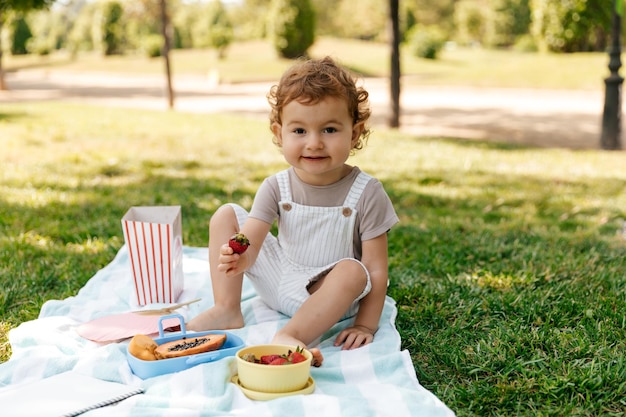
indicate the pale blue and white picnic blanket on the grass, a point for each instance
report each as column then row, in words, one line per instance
column 375, row 380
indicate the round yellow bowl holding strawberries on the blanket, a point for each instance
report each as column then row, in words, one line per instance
column 272, row 378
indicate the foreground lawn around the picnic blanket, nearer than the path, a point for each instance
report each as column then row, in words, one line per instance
column 508, row 265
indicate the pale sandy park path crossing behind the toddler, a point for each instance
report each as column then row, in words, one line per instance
column 542, row 118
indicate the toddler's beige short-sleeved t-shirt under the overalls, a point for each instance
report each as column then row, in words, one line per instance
column 375, row 212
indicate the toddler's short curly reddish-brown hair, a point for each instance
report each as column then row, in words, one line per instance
column 311, row 81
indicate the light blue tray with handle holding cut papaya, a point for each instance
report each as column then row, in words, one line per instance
column 149, row 369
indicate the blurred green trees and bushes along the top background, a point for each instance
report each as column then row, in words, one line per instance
column 133, row 26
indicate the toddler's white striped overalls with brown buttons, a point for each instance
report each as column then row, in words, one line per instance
column 311, row 240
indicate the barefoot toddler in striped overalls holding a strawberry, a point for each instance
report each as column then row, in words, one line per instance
column 328, row 261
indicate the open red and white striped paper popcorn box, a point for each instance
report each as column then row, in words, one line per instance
column 153, row 235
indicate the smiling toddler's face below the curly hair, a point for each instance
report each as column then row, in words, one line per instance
column 316, row 139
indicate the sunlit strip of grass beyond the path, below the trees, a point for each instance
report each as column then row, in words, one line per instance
column 256, row 61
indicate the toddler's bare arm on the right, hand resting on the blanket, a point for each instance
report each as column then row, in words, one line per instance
column 371, row 306
